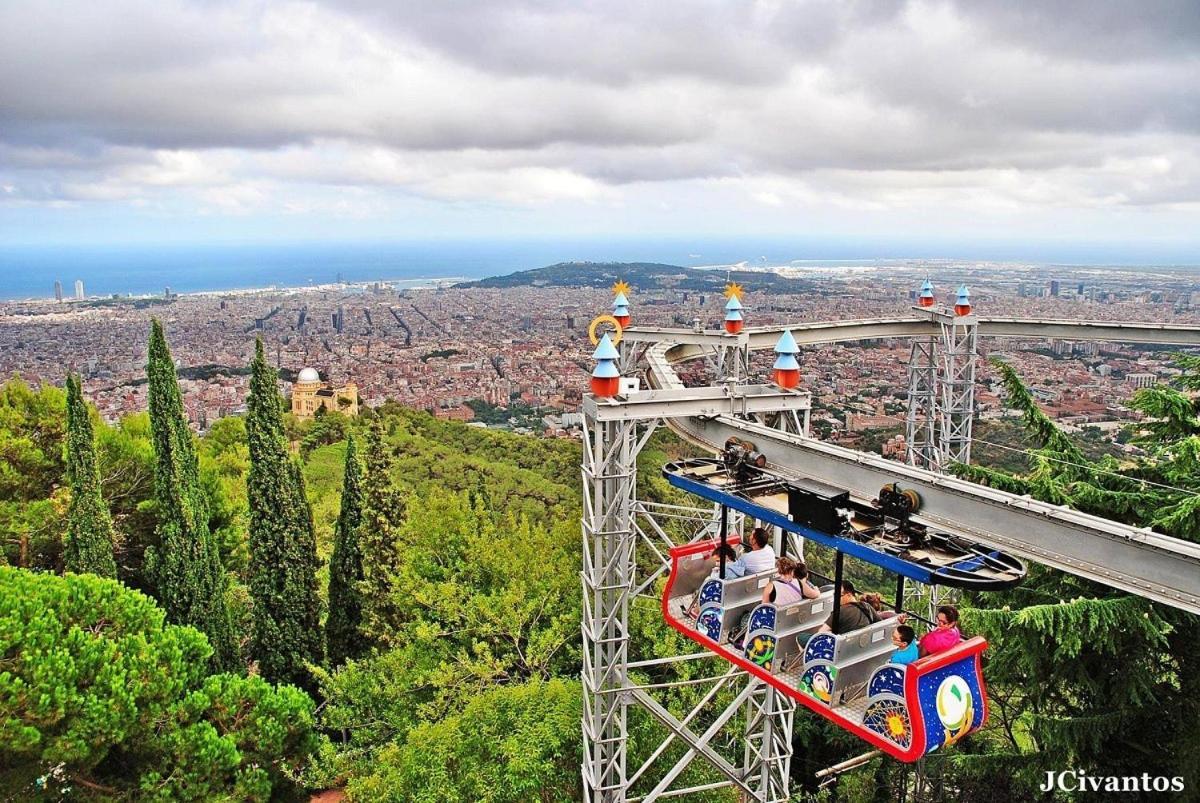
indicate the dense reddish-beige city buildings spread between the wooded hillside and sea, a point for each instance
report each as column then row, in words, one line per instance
column 442, row 347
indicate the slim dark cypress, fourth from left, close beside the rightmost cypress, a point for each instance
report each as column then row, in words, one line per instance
column 346, row 566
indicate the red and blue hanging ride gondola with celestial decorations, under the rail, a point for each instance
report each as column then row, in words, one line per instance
column 905, row 711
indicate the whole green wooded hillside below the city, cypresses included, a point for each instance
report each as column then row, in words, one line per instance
column 452, row 564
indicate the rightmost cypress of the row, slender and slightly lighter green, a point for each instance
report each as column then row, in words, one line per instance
column 383, row 514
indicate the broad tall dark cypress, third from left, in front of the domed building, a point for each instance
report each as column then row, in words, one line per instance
column 283, row 547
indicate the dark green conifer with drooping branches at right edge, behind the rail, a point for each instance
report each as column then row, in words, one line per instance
column 1082, row 675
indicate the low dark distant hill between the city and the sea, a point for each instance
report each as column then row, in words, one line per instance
column 644, row 277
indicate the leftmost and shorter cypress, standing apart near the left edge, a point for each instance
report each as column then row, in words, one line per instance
column 89, row 548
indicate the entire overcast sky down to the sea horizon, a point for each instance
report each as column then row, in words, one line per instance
column 175, row 122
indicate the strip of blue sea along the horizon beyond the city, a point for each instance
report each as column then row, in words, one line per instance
column 29, row 272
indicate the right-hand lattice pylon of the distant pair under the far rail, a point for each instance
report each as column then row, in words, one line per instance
column 957, row 398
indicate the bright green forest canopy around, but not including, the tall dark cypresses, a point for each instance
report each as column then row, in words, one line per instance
column 481, row 669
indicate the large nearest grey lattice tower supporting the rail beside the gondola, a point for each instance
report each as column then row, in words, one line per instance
column 626, row 546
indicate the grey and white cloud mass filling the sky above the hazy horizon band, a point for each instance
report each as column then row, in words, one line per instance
column 621, row 93
